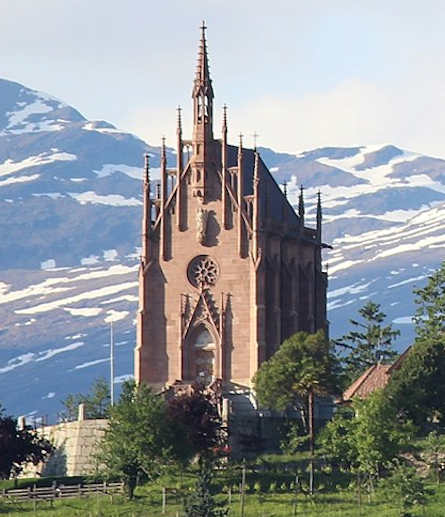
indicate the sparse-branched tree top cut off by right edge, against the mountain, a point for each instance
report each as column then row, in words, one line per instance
column 430, row 313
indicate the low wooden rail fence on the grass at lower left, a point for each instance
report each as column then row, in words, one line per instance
column 60, row 491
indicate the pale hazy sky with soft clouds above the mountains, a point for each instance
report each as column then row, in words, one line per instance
column 301, row 74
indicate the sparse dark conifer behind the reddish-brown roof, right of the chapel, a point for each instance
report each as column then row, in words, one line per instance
column 368, row 343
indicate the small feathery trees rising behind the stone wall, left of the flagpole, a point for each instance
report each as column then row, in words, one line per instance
column 97, row 402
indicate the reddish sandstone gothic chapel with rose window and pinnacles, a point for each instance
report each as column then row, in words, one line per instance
column 228, row 269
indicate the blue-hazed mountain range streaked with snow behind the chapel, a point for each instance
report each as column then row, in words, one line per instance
column 70, row 208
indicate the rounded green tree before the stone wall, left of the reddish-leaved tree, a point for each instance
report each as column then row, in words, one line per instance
column 139, row 438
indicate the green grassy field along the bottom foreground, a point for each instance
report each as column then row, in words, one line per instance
column 148, row 503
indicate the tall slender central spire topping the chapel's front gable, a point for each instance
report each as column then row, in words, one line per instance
column 203, row 95
